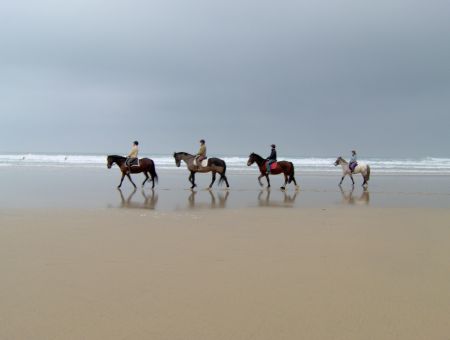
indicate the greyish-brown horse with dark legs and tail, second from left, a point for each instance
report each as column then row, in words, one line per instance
column 214, row 165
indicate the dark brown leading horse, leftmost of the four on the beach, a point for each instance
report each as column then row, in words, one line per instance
column 146, row 166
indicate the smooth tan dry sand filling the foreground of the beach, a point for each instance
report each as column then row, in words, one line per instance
column 348, row 273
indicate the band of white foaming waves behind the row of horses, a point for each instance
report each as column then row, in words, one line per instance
column 429, row 165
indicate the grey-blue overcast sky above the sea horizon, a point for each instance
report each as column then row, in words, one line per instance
column 315, row 77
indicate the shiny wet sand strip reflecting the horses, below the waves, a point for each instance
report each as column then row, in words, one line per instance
column 95, row 188
